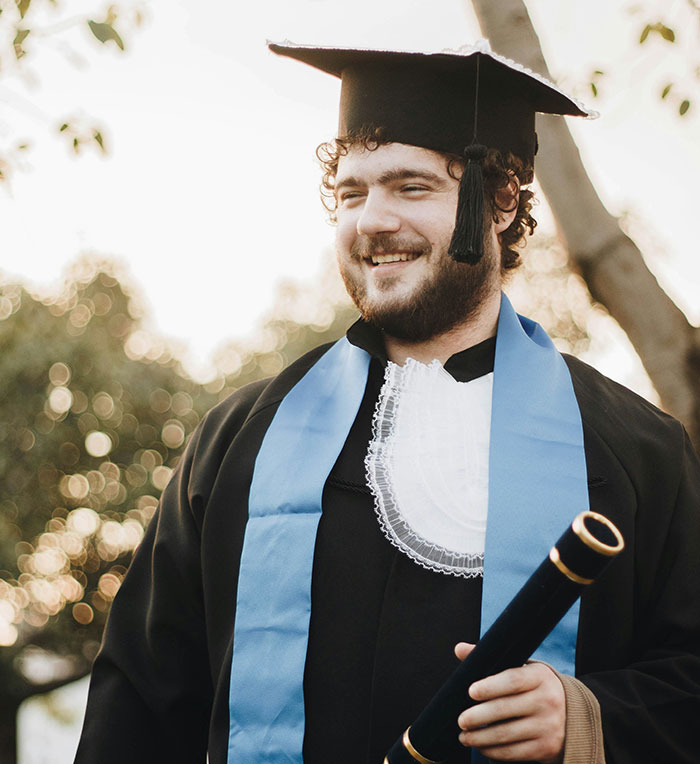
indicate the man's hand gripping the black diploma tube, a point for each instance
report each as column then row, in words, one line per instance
column 525, row 710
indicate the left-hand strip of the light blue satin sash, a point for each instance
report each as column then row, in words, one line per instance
column 266, row 700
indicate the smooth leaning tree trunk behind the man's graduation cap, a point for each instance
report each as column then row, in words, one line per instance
column 609, row 261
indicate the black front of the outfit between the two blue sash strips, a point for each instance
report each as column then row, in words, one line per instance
column 383, row 628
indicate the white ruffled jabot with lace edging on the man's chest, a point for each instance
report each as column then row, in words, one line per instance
column 427, row 465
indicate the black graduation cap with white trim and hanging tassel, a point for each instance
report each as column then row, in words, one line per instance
column 459, row 102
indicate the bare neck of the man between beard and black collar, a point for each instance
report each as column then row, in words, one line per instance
column 478, row 328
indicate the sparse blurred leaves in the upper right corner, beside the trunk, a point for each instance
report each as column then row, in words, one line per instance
column 679, row 27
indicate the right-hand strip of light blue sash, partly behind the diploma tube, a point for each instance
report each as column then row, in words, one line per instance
column 537, row 471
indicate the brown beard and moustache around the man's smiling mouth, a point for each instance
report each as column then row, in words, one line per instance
column 450, row 294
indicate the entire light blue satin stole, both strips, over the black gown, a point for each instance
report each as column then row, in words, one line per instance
column 537, row 484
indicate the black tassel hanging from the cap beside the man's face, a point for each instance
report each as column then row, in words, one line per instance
column 467, row 245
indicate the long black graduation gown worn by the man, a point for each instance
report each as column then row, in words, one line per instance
column 382, row 627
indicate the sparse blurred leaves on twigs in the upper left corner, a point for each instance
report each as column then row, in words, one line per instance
column 27, row 26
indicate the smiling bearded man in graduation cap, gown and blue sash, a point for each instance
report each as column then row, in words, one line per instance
column 333, row 533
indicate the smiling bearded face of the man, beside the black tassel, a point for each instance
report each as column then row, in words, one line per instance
column 396, row 213
